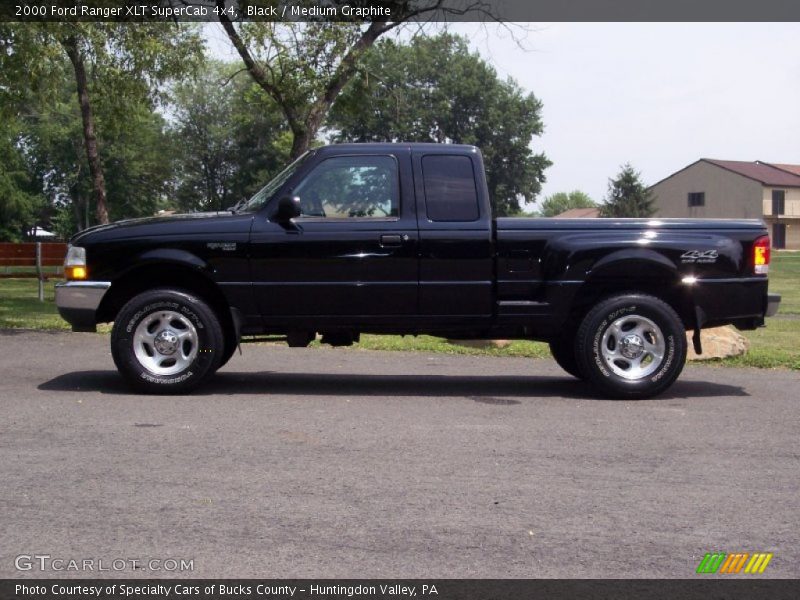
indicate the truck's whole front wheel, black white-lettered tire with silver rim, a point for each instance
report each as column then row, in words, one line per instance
column 166, row 341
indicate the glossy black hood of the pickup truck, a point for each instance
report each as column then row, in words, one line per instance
column 168, row 225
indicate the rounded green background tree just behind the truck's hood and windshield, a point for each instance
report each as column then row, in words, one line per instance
column 233, row 138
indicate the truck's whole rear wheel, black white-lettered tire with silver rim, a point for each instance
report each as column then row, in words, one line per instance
column 631, row 346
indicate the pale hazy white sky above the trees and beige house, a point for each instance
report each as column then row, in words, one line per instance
column 656, row 95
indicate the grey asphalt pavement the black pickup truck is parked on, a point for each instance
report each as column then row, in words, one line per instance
column 348, row 463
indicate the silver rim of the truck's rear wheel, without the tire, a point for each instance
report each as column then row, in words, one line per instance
column 633, row 347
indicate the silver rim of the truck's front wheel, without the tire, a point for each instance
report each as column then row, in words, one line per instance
column 165, row 342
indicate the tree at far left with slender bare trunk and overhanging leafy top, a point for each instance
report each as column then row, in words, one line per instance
column 111, row 62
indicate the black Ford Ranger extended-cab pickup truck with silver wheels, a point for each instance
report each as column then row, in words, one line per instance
column 400, row 239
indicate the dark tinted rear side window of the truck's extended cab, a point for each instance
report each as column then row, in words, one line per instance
column 450, row 193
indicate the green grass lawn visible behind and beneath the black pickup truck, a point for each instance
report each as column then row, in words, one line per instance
column 770, row 347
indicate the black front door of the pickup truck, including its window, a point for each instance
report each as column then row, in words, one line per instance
column 352, row 252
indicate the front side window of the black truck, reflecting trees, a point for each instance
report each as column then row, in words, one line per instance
column 351, row 187
